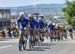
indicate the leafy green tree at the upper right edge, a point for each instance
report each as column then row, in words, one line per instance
column 69, row 12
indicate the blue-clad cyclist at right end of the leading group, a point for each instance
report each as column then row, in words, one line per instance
column 41, row 28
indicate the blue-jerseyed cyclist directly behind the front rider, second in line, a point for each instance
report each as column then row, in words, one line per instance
column 32, row 30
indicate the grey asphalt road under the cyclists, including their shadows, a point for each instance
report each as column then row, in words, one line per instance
column 46, row 48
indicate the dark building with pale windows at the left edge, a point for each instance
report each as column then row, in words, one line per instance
column 4, row 18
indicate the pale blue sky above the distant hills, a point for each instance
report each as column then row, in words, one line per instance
column 16, row 3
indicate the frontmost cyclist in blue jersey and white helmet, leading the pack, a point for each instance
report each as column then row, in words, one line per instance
column 21, row 23
